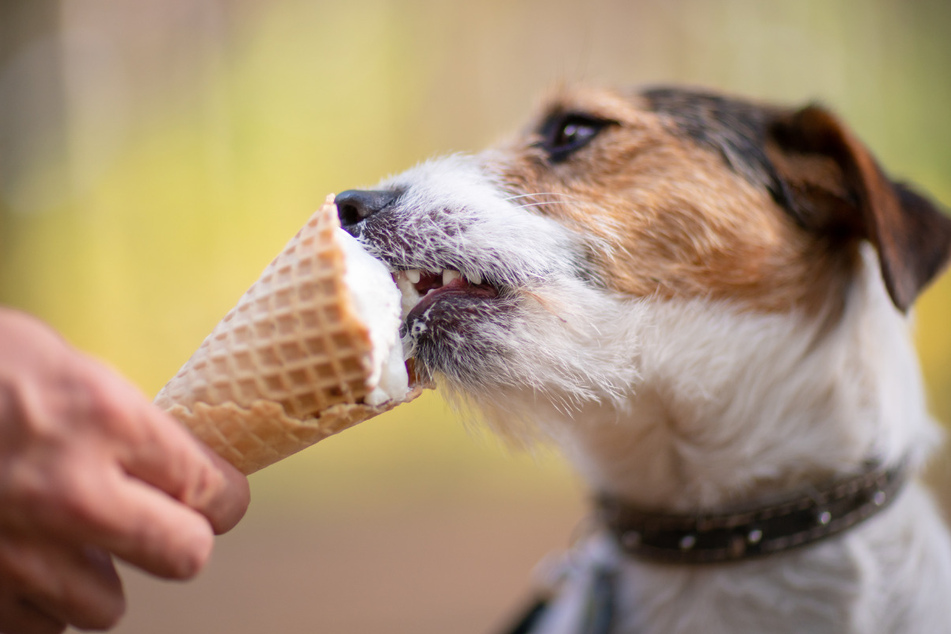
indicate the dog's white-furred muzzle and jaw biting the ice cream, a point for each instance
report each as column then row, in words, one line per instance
column 522, row 318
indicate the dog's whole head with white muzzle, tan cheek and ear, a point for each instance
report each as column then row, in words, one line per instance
column 526, row 266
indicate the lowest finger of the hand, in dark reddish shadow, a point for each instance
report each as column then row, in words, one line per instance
column 63, row 582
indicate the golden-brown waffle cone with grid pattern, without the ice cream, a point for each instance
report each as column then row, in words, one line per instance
column 288, row 365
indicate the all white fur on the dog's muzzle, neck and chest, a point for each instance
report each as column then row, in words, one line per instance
column 692, row 403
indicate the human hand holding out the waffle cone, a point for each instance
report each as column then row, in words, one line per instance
column 90, row 468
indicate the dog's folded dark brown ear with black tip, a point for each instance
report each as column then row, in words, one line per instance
column 831, row 183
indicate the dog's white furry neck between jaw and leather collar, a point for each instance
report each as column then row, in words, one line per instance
column 735, row 407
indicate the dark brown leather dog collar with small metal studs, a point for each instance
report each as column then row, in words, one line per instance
column 745, row 533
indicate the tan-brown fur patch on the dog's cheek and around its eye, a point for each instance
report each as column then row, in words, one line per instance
column 669, row 217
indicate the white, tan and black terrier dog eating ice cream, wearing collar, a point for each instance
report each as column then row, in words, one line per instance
column 703, row 302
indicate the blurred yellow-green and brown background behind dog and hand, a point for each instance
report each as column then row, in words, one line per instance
column 155, row 154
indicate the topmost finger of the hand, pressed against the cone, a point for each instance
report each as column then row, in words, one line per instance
column 160, row 451
